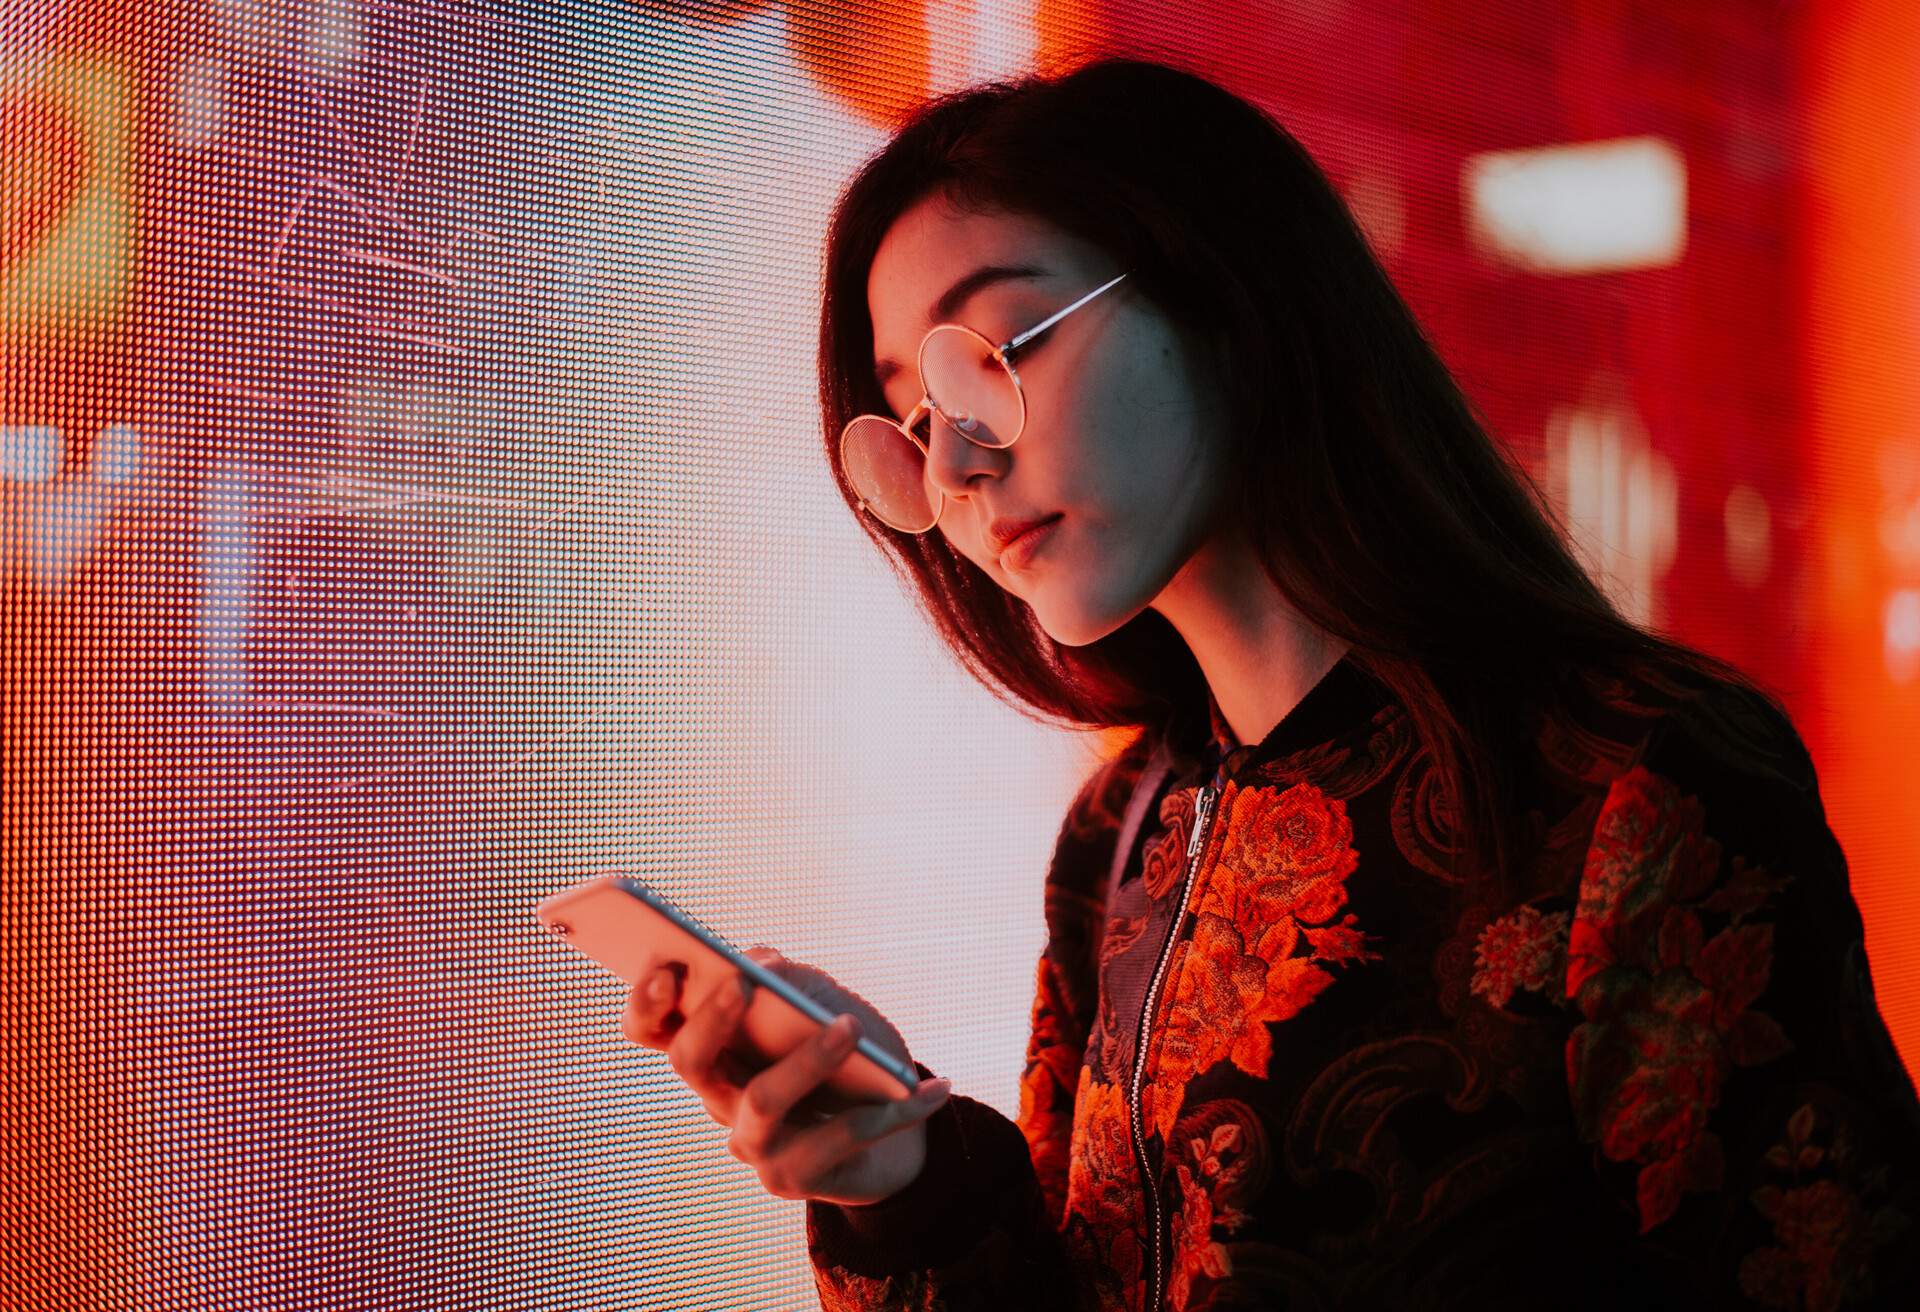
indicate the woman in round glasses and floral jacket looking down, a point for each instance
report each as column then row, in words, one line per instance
column 1443, row 940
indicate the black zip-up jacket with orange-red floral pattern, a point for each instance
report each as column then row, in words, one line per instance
column 1282, row 1059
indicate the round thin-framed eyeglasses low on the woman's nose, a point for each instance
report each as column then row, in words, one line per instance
column 969, row 385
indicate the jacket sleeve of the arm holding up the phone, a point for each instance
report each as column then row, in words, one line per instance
column 982, row 1225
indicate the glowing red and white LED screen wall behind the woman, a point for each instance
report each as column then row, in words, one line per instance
column 414, row 504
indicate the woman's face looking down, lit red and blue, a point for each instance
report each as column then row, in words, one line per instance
column 1120, row 439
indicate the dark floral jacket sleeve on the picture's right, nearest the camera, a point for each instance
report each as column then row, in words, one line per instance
column 1729, row 1065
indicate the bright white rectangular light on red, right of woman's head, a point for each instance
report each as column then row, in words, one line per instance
column 1581, row 208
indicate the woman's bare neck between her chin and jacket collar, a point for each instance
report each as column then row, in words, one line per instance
column 1260, row 656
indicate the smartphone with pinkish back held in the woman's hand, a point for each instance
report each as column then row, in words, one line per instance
column 625, row 925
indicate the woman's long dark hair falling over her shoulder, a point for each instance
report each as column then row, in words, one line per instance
column 1383, row 510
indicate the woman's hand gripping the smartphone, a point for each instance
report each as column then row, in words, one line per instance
column 804, row 1140
